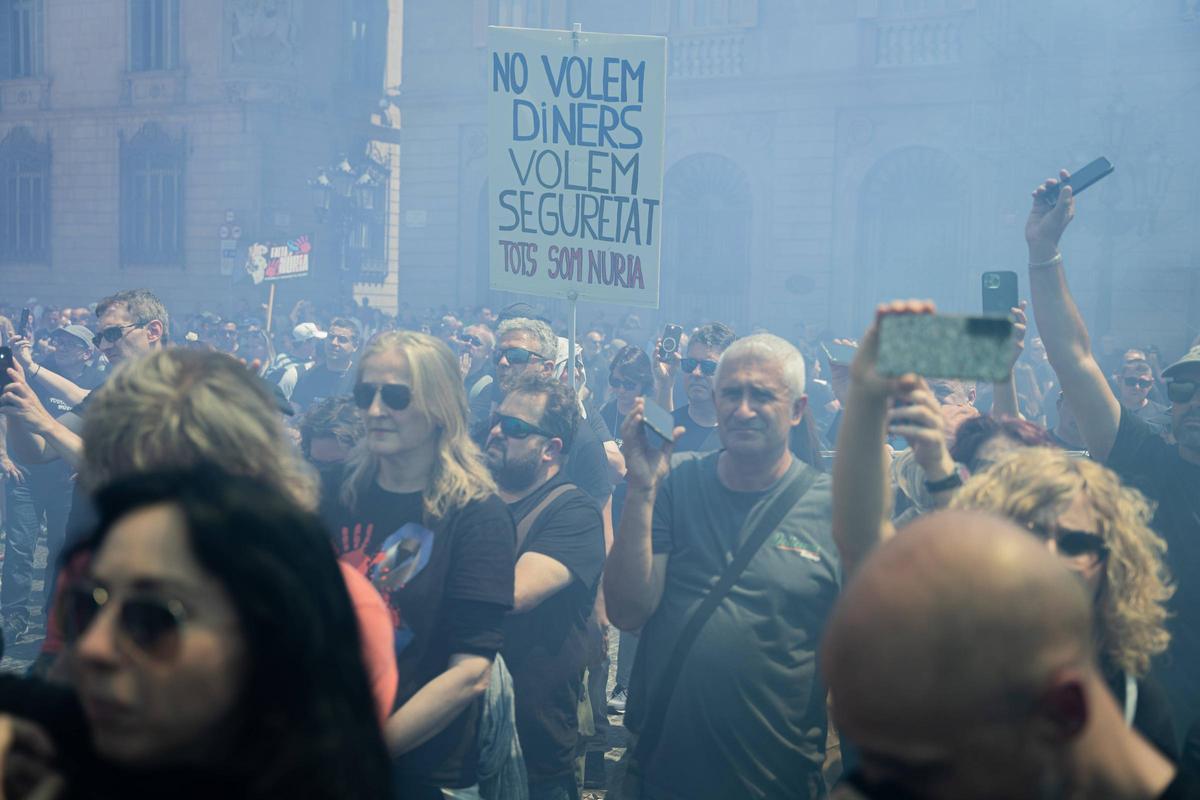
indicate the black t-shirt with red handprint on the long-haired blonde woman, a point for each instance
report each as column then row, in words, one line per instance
column 449, row 587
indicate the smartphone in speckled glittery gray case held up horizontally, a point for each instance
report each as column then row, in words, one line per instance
column 974, row 348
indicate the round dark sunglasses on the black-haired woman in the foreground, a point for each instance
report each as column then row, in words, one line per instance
column 152, row 624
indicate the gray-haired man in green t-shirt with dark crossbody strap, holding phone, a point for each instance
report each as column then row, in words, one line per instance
column 728, row 561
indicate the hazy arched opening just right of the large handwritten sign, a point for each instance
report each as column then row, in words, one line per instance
column 706, row 242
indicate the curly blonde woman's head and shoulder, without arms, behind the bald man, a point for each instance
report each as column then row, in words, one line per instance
column 1101, row 530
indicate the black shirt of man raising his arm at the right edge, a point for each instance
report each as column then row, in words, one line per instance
column 1145, row 461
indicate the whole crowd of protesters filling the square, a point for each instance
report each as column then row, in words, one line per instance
column 358, row 556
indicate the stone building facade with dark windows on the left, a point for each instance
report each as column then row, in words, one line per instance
column 136, row 134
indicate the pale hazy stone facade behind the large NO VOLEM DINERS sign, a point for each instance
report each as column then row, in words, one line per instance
column 841, row 153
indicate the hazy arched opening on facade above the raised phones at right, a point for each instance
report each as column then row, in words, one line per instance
column 913, row 226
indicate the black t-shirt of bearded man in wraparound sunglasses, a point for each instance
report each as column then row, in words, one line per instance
column 545, row 648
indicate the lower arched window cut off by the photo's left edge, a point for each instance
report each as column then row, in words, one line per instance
column 25, row 200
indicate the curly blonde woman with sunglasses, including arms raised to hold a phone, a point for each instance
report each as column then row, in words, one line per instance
column 1081, row 509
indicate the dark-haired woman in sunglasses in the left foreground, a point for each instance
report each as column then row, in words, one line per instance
column 213, row 652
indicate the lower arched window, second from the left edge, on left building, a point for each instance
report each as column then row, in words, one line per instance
column 153, row 199
